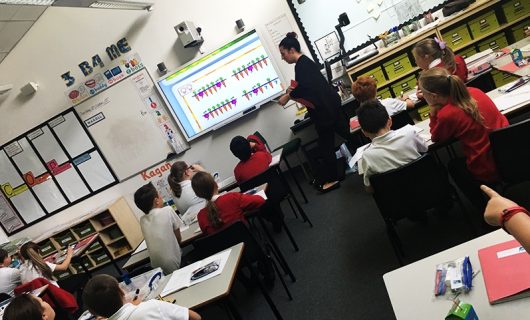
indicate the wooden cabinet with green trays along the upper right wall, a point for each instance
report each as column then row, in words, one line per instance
column 485, row 23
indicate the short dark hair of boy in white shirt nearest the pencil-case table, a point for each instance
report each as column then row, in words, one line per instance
column 102, row 295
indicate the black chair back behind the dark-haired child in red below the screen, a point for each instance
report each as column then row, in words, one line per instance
column 276, row 190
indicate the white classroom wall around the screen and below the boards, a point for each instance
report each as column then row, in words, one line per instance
column 63, row 37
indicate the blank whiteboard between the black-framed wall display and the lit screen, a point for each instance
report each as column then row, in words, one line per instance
column 126, row 123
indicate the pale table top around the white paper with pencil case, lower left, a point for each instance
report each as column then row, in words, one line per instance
column 210, row 290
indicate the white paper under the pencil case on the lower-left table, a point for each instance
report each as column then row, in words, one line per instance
column 181, row 278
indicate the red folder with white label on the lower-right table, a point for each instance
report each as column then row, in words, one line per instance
column 506, row 271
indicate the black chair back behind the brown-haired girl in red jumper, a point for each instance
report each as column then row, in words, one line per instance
column 227, row 237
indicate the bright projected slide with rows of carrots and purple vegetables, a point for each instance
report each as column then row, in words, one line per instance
column 221, row 85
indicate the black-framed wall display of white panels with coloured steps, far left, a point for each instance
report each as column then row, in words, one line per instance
column 45, row 170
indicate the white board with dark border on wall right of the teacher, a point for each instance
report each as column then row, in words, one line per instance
column 367, row 17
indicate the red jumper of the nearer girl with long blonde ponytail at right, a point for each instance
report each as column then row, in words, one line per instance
column 452, row 122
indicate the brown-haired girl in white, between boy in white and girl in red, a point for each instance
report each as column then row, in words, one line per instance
column 179, row 181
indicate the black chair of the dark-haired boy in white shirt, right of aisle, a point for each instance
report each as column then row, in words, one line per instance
column 392, row 194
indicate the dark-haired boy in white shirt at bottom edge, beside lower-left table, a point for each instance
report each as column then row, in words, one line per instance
column 104, row 298
